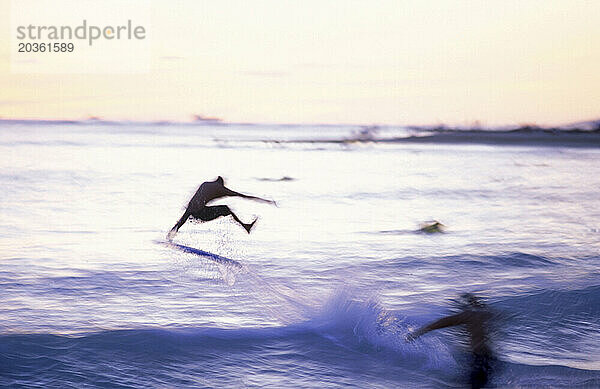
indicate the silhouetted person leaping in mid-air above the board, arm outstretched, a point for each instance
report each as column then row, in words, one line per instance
column 198, row 209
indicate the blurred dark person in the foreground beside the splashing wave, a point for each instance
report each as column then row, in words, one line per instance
column 477, row 320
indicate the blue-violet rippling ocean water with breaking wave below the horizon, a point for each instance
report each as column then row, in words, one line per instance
column 331, row 280
